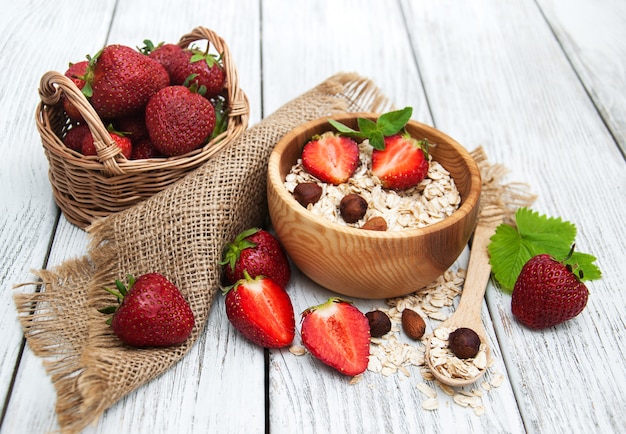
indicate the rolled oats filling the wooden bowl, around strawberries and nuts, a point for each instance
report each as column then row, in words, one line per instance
column 433, row 199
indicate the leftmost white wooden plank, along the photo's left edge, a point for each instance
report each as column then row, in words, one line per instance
column 35, row 39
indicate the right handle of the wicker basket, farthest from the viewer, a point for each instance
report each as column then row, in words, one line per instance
column 237, row 100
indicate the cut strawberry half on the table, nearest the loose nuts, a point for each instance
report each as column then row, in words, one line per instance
column 338, row 334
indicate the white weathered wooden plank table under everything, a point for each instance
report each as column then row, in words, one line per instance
column 540, row 84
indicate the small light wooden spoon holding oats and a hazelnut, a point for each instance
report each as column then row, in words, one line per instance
column 468, row 311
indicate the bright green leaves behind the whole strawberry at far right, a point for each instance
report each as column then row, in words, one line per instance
column 511, row 247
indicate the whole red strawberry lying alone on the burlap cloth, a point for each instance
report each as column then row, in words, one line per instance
column 152, row 313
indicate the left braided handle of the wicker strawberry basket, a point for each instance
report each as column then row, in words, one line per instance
column 52, row 86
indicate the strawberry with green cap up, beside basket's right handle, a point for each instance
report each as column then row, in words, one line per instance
column 205, row 67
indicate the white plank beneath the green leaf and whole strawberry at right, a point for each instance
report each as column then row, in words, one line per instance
column 522, row 100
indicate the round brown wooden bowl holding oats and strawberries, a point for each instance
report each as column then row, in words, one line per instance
column 363, row 263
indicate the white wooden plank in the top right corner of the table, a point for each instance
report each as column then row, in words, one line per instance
column 589, row 33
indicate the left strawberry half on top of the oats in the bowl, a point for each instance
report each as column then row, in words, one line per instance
column 330, row 158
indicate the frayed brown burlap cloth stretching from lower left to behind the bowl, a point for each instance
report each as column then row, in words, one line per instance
column 180, row 232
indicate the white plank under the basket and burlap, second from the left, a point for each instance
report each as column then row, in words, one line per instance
column 193, row 396
